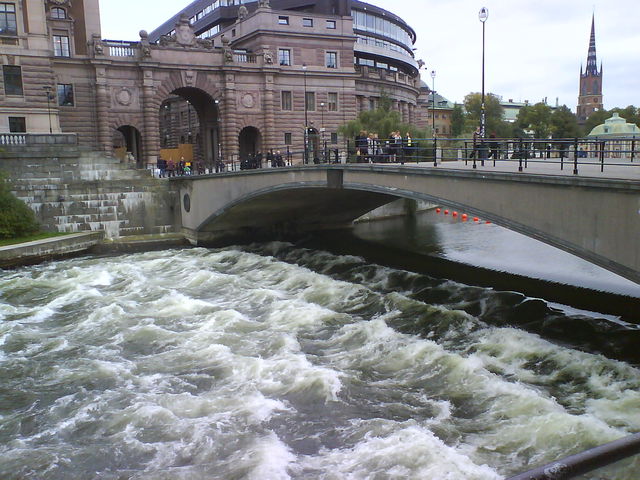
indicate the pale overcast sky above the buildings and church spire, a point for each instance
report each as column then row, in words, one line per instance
column 533, row 49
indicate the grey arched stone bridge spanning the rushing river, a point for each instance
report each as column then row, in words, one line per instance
column 596, row 219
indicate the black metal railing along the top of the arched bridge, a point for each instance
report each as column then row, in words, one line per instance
column 516, row 154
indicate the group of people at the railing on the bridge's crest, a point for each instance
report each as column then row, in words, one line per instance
column 396, row 148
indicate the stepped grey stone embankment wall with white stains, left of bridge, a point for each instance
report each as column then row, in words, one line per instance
column 90, row 192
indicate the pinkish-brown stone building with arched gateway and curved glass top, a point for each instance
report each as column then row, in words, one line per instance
column 257, row 75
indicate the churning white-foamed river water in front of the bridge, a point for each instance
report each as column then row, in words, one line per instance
column 273, row 361
